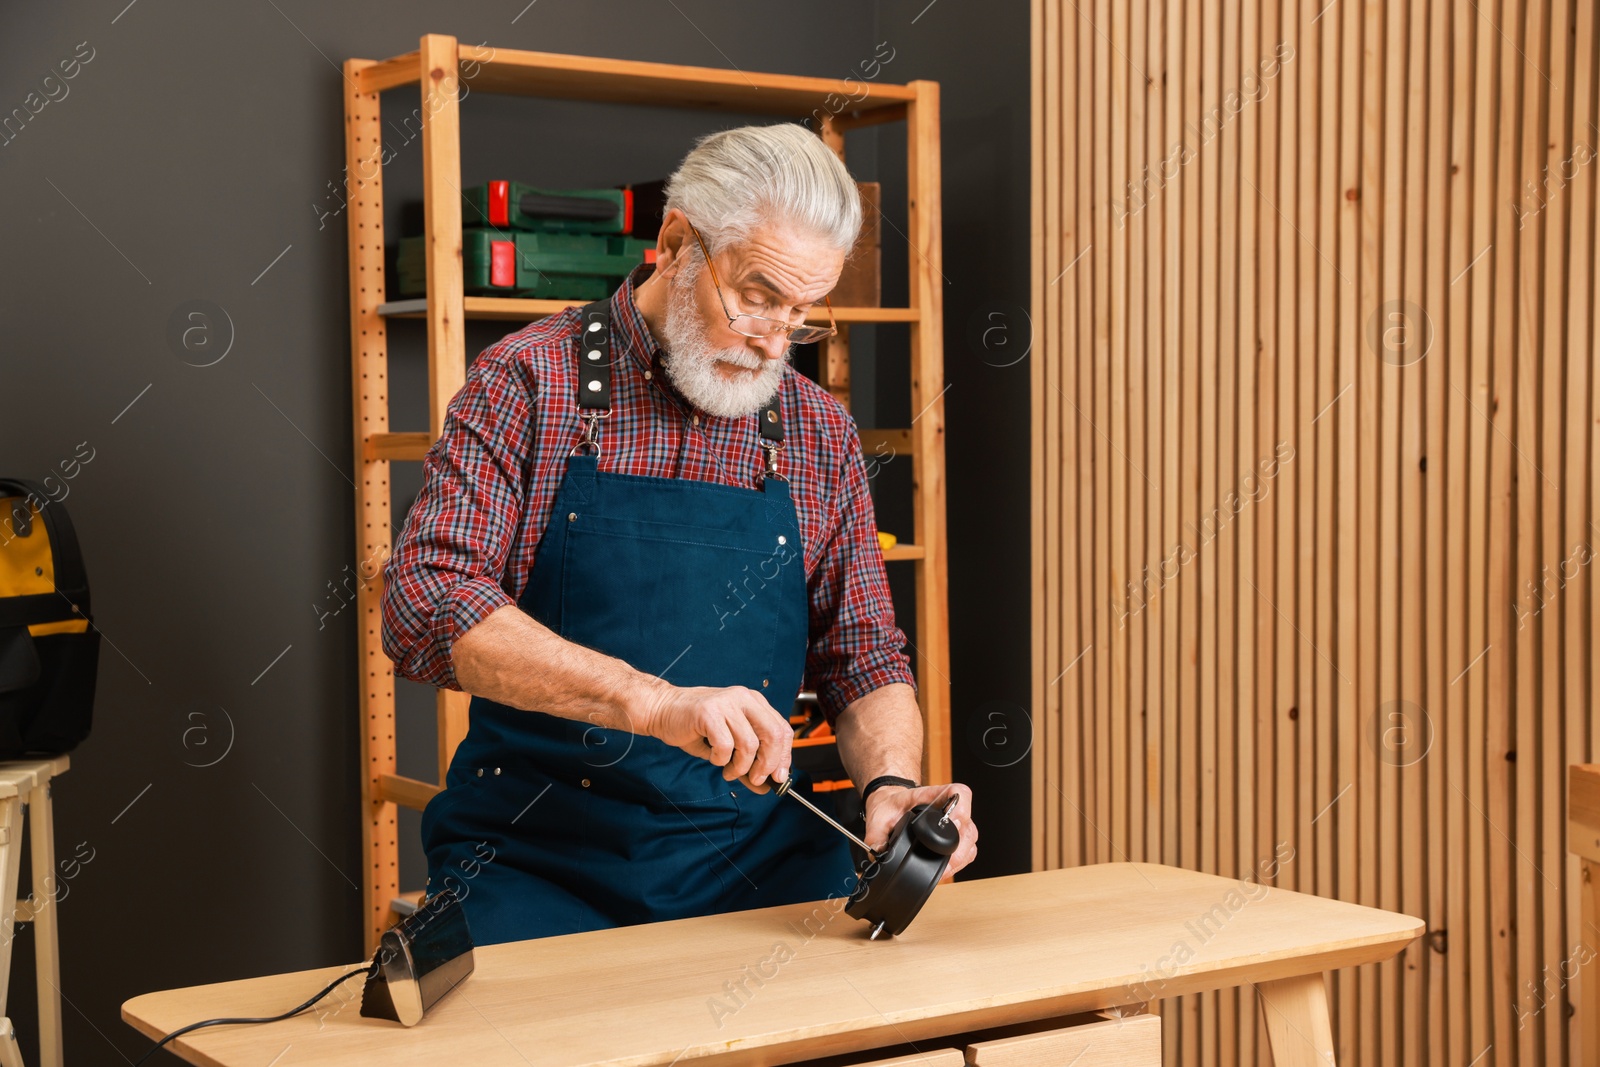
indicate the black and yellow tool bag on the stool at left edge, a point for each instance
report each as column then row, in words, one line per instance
column 49, row 647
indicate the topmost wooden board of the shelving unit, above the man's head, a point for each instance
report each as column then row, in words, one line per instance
column 652, row 84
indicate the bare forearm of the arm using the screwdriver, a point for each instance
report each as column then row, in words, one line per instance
column 514, row 660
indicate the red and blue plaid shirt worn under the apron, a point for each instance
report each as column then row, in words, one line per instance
column 490, row 481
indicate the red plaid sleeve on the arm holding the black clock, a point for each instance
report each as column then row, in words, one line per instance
column 855, row 644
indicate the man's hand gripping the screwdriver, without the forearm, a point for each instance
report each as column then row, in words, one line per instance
column 734, row 729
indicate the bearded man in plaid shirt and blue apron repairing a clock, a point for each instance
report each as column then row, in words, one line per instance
column 638, row 535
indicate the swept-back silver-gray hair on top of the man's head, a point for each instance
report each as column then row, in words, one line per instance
column 735, row 180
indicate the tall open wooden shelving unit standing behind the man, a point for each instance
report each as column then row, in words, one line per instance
column 438, row 70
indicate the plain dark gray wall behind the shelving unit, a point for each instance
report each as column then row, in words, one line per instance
column 193, row 158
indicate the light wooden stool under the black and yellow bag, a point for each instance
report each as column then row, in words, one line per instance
column 26, row 783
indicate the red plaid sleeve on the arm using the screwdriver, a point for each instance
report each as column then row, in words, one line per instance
column 449, row 567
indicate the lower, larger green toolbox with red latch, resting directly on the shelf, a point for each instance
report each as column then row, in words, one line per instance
column 550, row 266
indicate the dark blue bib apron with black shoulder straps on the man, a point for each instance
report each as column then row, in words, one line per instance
column 554, row 826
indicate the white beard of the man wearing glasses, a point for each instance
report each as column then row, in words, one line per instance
column 690, row 361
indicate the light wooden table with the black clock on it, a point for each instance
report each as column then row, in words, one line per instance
column 785, row 985
